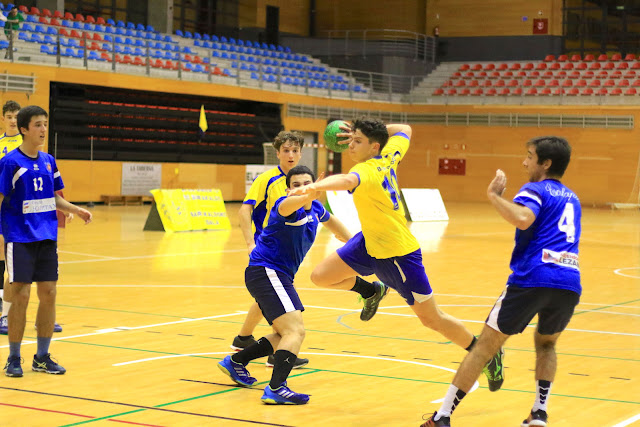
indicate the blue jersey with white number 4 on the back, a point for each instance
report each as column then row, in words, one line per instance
column 546, row 254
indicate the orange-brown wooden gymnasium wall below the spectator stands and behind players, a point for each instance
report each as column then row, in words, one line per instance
column 604, row 166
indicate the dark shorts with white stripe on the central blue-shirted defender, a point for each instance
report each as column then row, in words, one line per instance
column 273, row 291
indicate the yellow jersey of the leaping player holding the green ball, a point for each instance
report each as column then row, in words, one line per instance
column 377, row 199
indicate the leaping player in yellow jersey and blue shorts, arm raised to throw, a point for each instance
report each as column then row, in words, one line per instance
column 385, row 247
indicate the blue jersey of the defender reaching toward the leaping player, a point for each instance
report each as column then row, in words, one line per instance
column 284, row 242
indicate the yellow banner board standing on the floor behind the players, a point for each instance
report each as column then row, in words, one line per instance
column 190, row 210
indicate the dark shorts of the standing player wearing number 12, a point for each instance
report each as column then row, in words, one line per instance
column 32, row 262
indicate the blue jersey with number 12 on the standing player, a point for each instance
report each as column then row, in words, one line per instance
column 29, row 205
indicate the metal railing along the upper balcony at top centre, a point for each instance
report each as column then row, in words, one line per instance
column 381, row 42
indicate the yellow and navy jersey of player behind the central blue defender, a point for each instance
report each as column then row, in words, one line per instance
column 268, row 187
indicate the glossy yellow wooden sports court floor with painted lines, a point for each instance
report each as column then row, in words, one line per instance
column 147, row 316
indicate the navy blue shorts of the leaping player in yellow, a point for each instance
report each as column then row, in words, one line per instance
column 405, row 273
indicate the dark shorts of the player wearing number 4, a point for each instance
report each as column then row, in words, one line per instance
column 517, row 306
